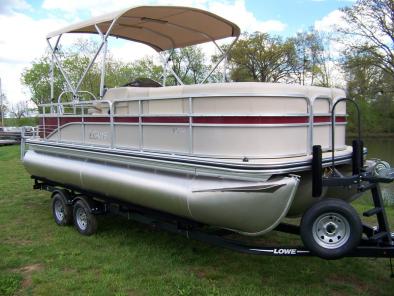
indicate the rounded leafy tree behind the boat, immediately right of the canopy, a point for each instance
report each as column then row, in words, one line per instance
column 260, row 57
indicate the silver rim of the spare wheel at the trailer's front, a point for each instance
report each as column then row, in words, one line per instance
column 331, row 230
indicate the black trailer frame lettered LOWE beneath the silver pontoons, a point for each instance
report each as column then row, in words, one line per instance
column 372, row 245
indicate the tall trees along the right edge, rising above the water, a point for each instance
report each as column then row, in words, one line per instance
column 368, row 61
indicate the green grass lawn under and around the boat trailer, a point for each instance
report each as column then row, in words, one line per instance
column 37, row 257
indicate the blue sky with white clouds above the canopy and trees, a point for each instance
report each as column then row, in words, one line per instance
column 25, row 23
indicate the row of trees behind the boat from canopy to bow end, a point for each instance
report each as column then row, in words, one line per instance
column 302, row 59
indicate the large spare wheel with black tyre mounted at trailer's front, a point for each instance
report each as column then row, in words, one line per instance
column 331, row 228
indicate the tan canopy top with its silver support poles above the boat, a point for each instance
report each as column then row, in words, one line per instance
column 160, row 27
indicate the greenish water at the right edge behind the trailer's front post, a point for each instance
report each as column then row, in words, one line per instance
column 382, row 148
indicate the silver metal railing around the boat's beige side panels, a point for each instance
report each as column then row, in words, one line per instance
column 108, row 112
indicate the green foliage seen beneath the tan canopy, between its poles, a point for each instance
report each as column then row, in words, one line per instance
column 188, row 63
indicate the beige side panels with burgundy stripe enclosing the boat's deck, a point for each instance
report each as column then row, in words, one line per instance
column 222, row 125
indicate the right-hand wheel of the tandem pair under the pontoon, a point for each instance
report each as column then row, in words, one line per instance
column 84, row 221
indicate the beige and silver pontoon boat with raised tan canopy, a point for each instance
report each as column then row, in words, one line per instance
column 232, row 155
